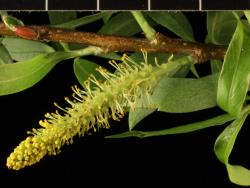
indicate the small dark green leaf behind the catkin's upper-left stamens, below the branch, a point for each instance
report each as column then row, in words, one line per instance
column 84, row 68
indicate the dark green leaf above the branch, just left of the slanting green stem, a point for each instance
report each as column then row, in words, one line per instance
column 122, row 24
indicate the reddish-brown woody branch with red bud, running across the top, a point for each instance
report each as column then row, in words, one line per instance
column 110, row 43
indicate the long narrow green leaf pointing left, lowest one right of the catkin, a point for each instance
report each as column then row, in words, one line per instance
column 219, row 120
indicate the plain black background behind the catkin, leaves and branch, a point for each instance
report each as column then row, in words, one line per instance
column 170, row 161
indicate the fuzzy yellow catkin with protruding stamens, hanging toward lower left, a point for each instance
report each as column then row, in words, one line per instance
column 91, row 109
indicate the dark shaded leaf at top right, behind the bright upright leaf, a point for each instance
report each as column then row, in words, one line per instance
column 220, row 26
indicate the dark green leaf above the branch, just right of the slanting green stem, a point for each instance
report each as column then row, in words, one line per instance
column 175, row 22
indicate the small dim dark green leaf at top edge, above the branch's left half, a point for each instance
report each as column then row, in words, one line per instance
column 59, row 17
